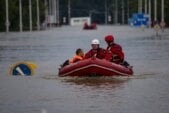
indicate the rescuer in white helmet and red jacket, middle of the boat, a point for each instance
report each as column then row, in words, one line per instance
column 96, row 51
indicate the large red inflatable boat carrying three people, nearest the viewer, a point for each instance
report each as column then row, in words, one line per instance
column 94, row 66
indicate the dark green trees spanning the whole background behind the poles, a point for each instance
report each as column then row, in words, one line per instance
column 78, row 8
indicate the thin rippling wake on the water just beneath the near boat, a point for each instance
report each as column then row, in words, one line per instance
column 101, row 79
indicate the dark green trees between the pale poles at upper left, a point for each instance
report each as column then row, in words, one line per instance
column 14, row 14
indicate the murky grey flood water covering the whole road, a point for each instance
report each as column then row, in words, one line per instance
column 147, row 91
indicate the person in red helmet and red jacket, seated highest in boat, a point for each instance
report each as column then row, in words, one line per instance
column 114, row 51
